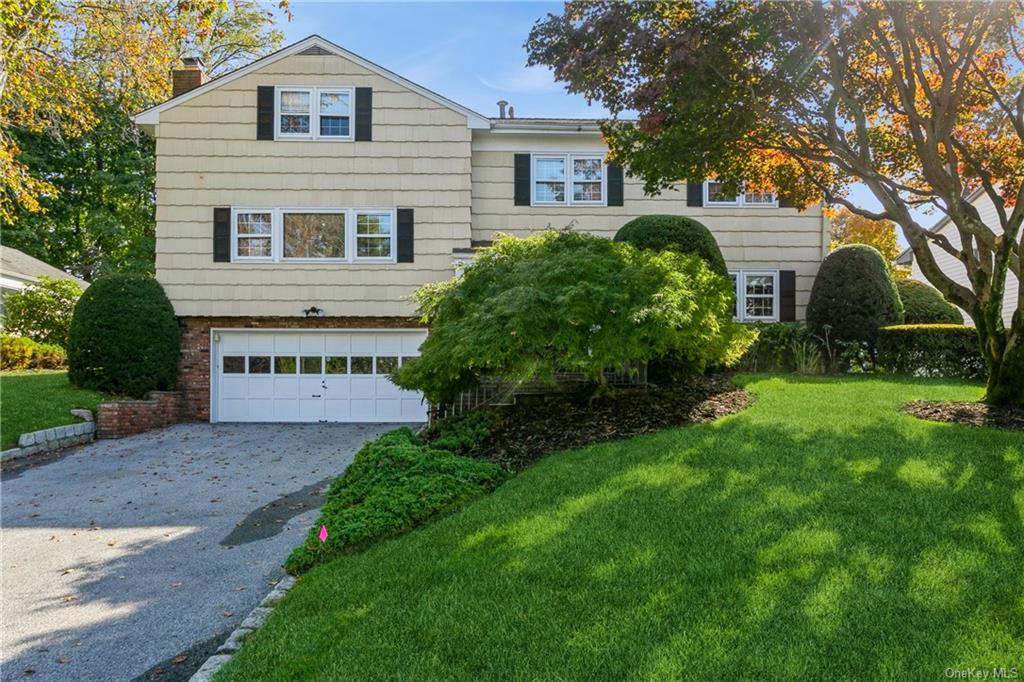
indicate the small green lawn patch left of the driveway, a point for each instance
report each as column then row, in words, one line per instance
column 33, row 401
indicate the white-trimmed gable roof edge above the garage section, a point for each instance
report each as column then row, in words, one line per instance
column 317, row 46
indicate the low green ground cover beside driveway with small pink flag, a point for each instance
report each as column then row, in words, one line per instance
column 396, row 484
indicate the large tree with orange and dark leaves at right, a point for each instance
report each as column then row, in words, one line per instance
column 920, row 102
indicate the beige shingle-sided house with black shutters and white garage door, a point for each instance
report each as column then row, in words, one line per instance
column 301, row 200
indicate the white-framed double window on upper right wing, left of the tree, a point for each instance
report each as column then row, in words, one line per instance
column 569, row 180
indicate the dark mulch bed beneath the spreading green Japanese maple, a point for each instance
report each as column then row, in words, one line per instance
column 538, row 427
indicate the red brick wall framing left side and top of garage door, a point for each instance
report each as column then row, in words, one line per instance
column 194, row 366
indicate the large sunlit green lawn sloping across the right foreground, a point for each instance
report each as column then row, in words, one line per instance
column 821, row 534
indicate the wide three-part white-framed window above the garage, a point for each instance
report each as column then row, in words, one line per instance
column 314, row 235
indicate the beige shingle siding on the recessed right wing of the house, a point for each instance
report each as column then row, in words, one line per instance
column 750, row 238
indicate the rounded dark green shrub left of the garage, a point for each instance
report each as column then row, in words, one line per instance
column 124, row 337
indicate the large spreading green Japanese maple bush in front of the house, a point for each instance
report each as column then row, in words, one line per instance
column 527, row 309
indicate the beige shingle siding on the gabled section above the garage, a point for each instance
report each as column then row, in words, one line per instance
column 208, row 156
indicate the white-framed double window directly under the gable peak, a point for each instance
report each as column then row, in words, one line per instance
column 314, row 113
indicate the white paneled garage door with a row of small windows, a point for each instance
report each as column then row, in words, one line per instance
column 342, row 376
